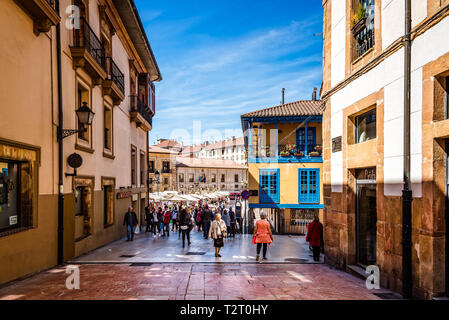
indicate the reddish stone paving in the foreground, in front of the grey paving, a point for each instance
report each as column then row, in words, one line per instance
column 194, row 281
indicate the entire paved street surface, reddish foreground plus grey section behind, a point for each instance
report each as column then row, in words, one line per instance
column 162, row 270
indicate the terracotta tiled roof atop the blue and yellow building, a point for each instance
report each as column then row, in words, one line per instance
column 297, row 108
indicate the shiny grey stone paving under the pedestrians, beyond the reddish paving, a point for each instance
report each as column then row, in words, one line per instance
column 149, row 248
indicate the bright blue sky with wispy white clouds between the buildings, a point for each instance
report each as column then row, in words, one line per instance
column 220, row 59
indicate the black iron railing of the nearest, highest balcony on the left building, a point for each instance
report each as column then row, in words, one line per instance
column 85, row 37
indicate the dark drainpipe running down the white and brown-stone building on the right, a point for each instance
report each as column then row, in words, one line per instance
column 407, row 285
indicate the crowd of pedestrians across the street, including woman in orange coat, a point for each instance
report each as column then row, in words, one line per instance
column 215, row 223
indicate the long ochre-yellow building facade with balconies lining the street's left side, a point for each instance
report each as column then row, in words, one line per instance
column 52, row 206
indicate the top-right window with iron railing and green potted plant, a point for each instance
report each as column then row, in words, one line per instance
column 363, row 27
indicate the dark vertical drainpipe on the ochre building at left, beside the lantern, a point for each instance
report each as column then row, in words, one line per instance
column 60, row 149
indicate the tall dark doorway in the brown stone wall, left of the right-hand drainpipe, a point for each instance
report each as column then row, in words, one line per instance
column 366, row 220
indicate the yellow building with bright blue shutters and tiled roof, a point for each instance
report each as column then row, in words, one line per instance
column 285, row 163
